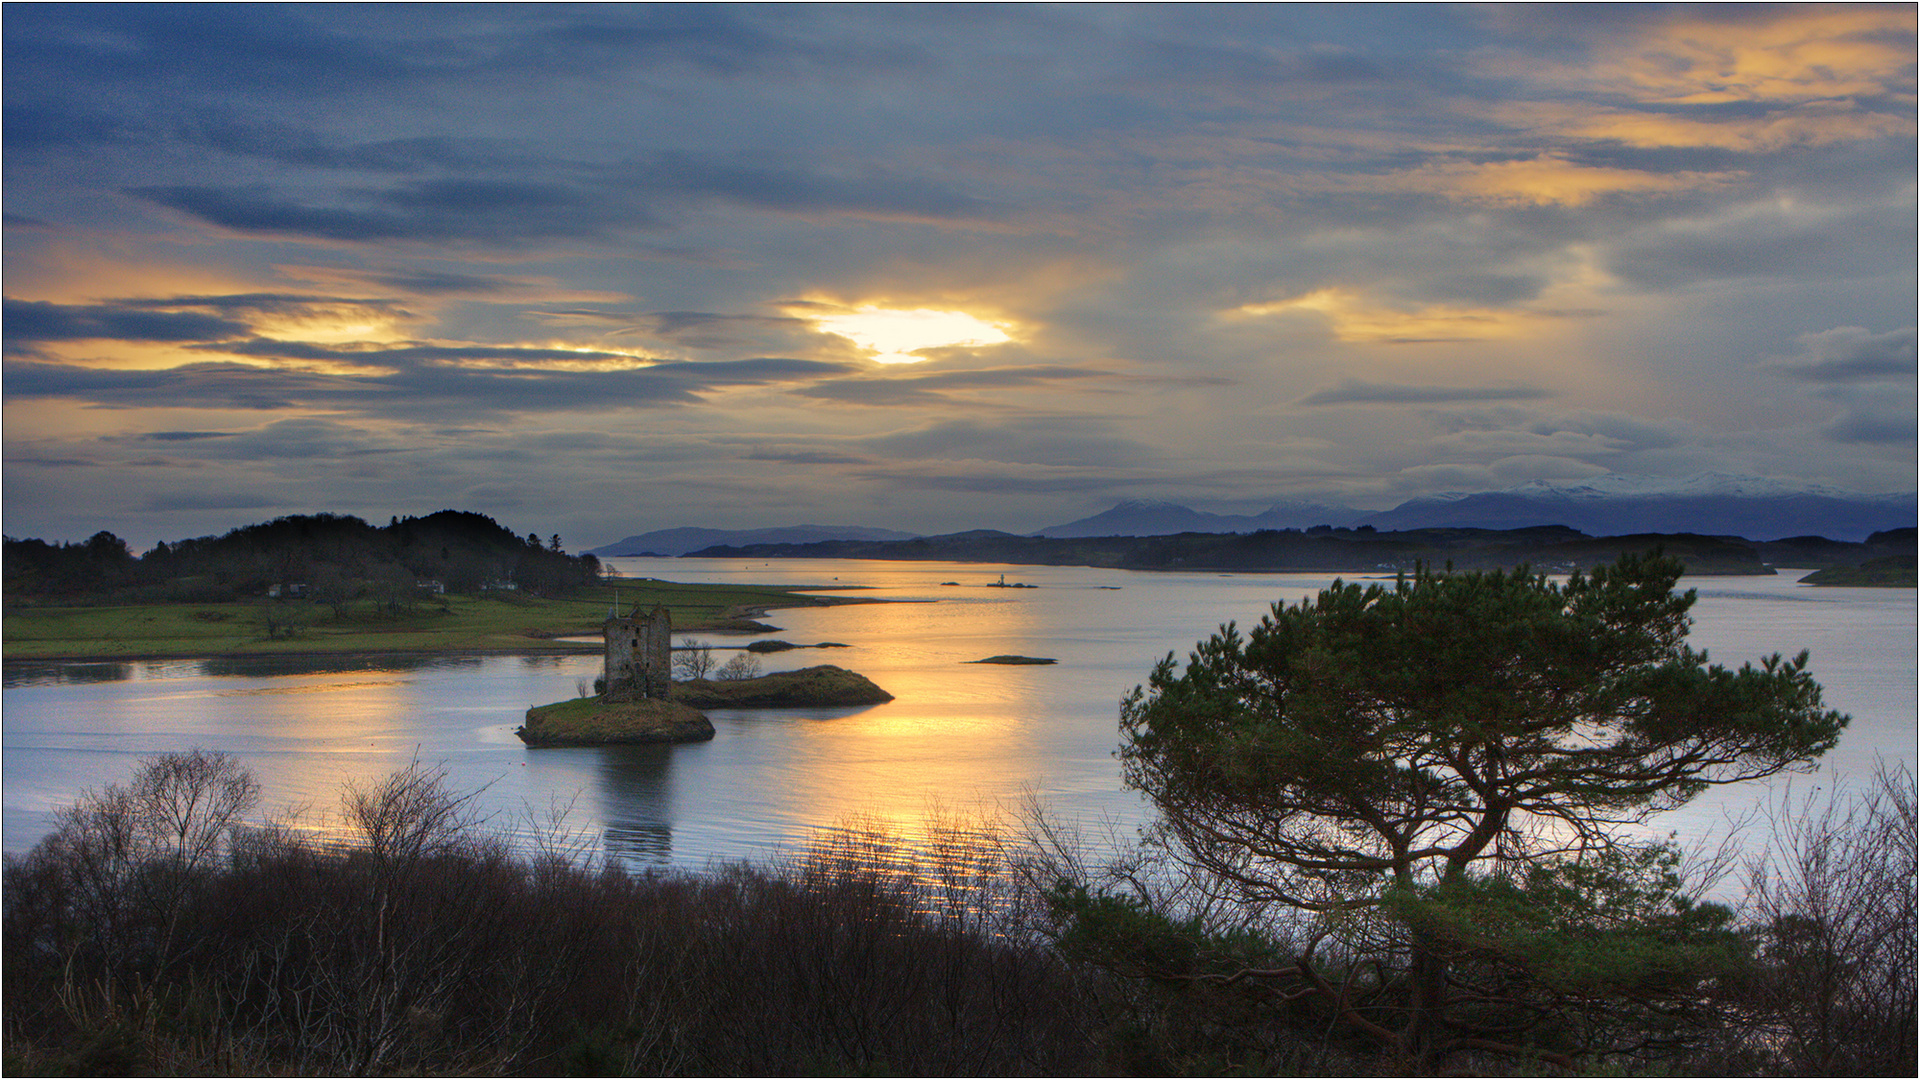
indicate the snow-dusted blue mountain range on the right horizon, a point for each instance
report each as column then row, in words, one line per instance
column 1708, row 504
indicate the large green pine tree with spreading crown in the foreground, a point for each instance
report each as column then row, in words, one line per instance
column 1443, row 768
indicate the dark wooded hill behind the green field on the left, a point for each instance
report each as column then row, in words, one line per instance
column 325, row 554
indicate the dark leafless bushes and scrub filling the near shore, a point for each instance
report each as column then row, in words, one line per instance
column 158, row 931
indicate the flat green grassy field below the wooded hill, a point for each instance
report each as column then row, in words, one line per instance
column 506, row 624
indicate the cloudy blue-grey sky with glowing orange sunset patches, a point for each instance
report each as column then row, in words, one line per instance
column 608, row 270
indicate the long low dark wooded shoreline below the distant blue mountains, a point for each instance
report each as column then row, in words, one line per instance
column 1548, row 549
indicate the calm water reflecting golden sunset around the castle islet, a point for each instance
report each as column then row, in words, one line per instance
column 959, row 737
